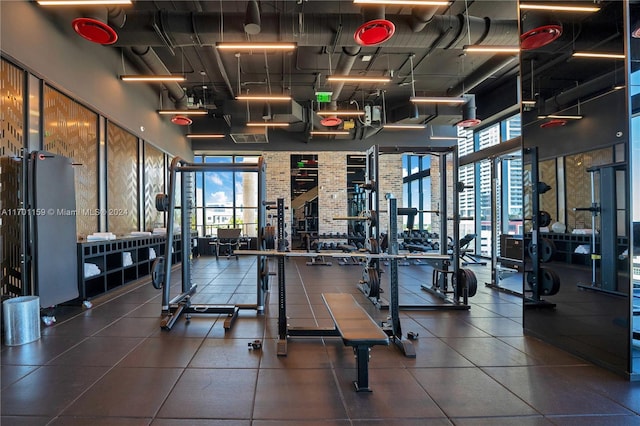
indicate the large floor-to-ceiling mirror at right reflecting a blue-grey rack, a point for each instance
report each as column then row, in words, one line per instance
column 575, row 170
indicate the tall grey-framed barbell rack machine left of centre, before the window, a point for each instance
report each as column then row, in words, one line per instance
column 172, row 309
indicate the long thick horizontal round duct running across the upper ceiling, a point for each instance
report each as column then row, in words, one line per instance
column 179, row 29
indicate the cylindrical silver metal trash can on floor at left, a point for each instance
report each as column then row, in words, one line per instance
column 21, row 317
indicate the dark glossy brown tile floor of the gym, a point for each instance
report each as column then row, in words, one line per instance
column 113, row 365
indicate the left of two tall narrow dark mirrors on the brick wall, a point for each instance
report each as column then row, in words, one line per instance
column 304, row 199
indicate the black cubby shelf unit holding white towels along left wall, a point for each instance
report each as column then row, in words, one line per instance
column 115, row 265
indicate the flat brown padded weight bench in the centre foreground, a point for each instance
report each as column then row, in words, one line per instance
column 357, row 329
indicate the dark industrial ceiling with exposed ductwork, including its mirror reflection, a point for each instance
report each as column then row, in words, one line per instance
column 423, row 57
